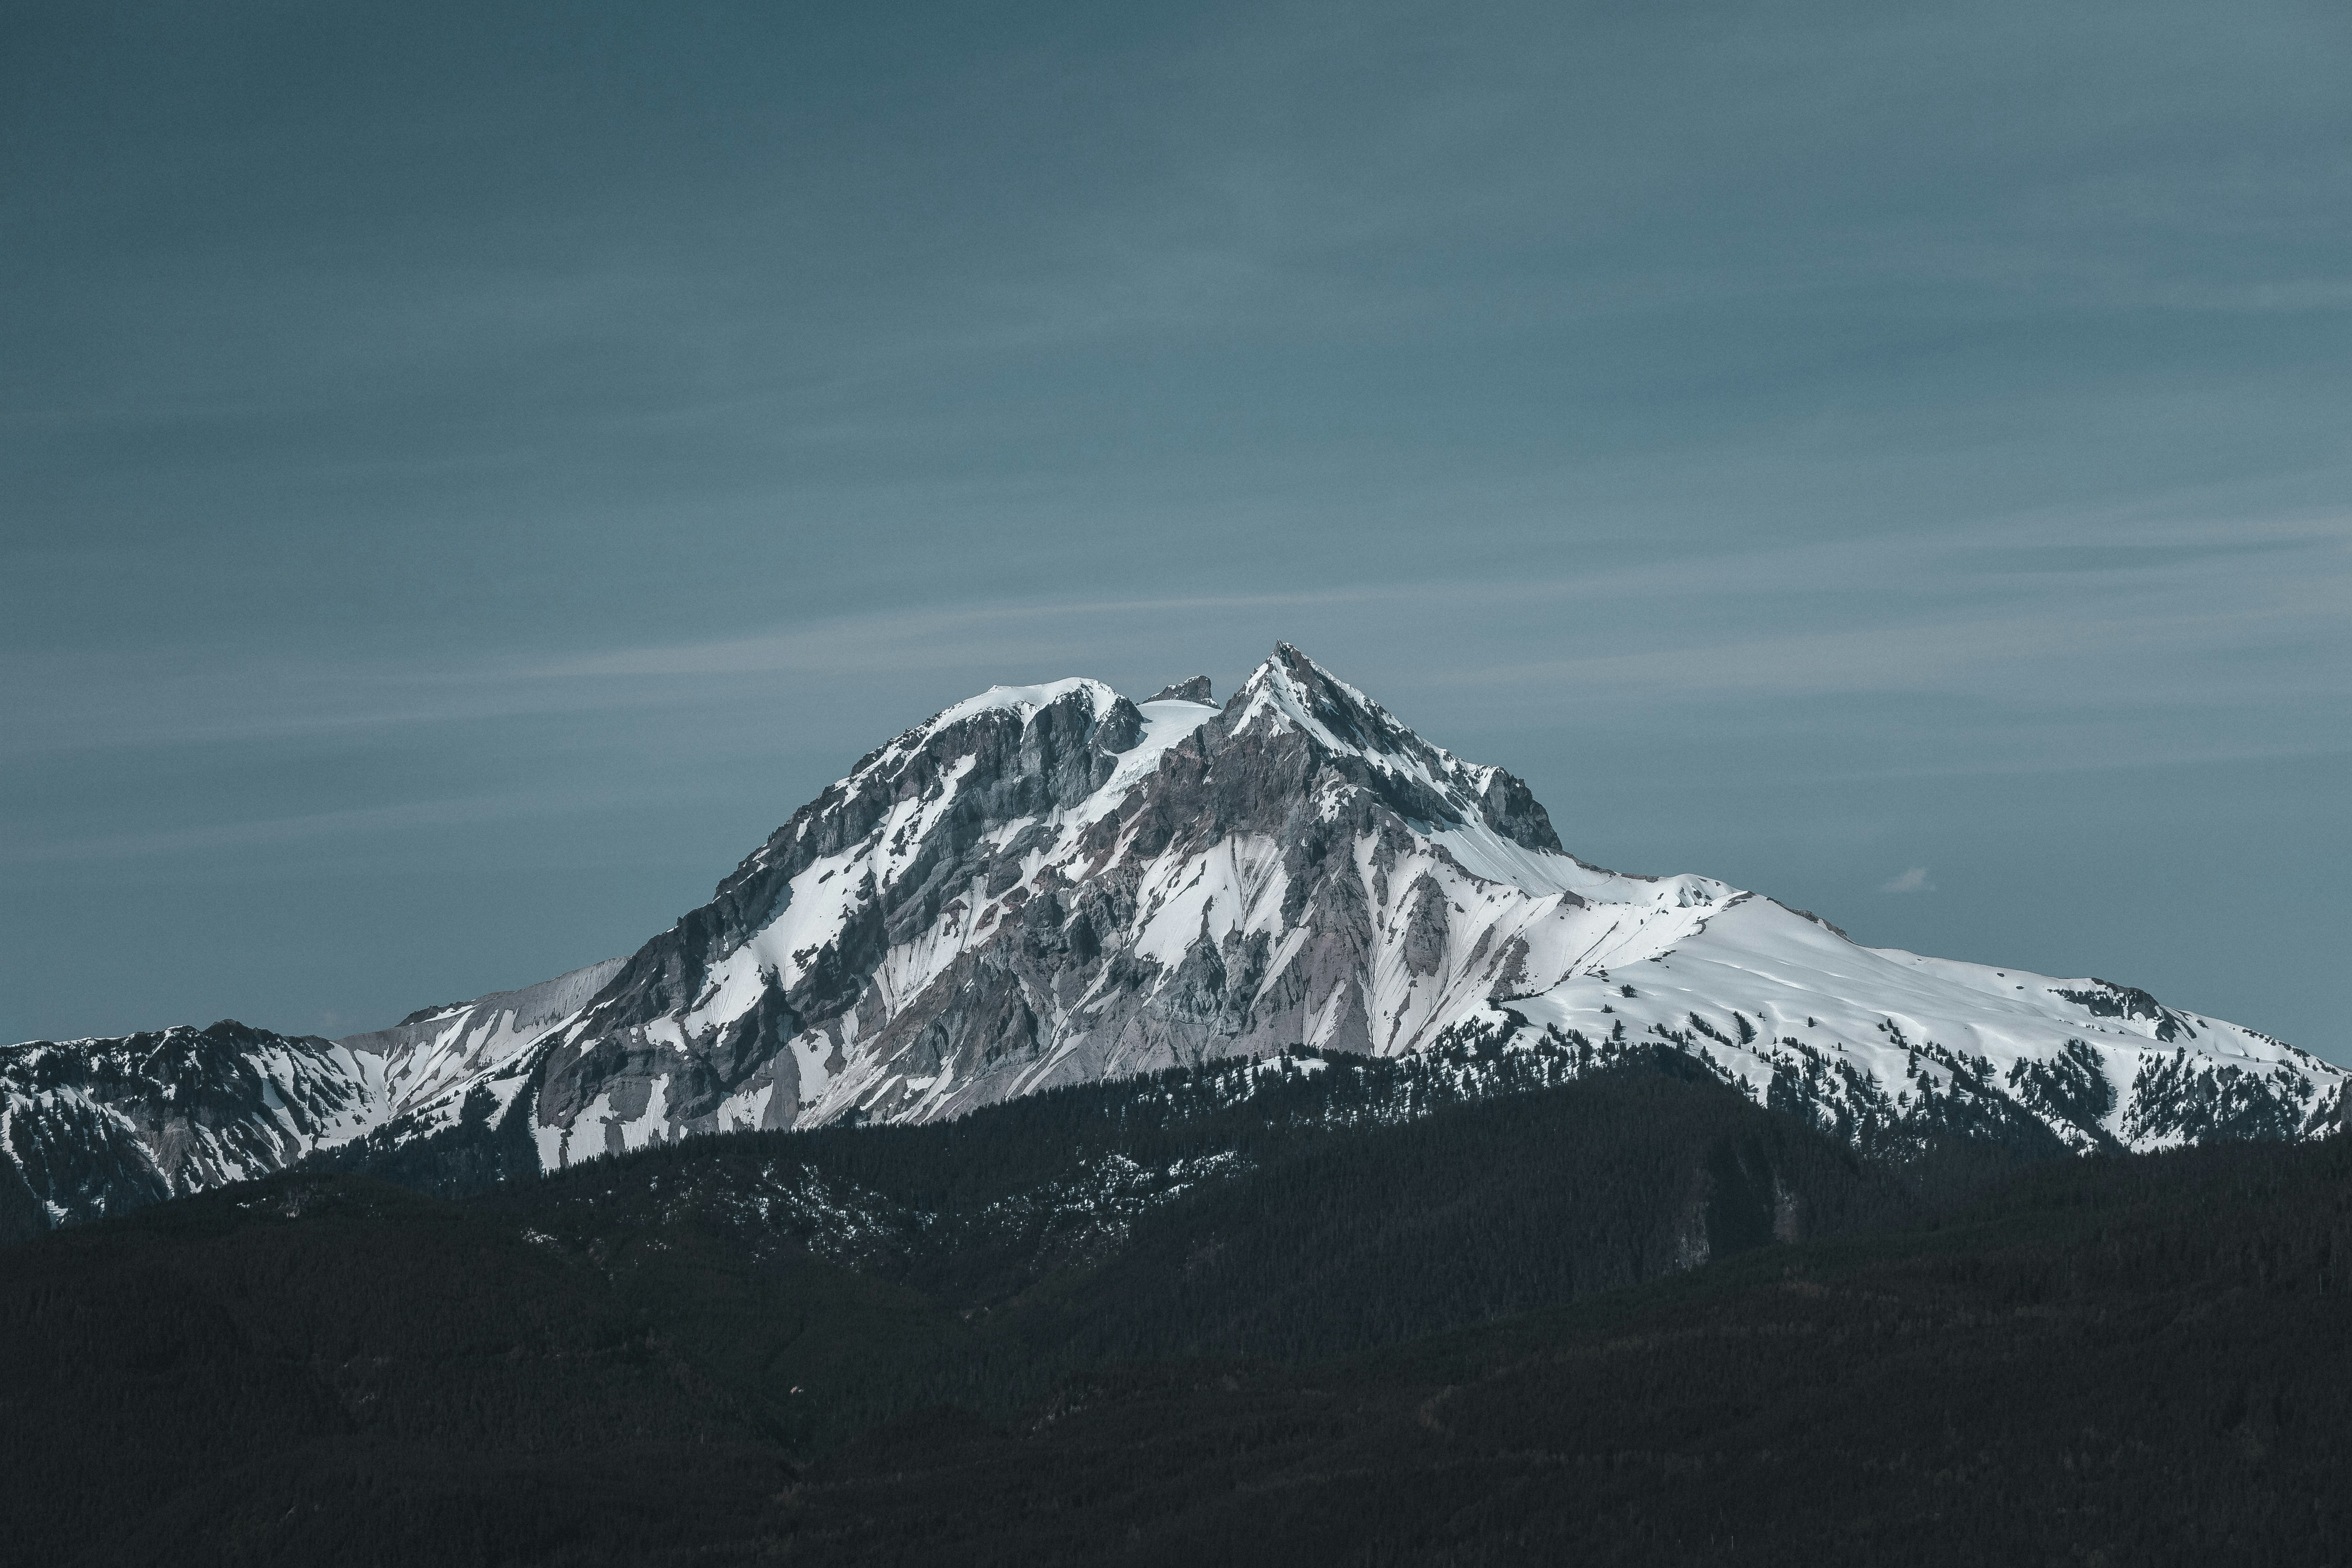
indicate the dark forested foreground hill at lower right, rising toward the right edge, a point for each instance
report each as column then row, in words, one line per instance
column 2118, row 1362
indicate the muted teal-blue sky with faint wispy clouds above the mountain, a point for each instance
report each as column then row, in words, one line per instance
column 467, row 474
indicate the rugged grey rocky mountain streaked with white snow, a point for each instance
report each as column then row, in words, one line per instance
column 1055, row 885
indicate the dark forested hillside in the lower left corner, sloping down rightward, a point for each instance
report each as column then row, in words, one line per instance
column 347, row 1374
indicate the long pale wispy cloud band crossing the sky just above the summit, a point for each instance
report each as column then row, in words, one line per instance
column 2193, row 603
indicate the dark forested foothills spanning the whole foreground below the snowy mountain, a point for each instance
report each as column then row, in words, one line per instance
column 1177, row 1322
